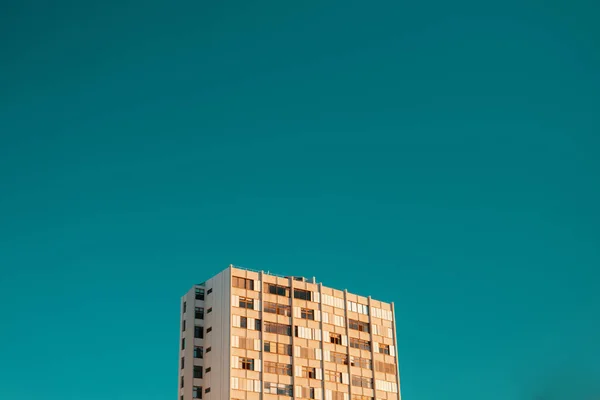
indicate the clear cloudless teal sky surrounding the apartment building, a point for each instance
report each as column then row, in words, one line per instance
column 440, row 155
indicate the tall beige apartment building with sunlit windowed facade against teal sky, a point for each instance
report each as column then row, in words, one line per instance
column 248, row 335
